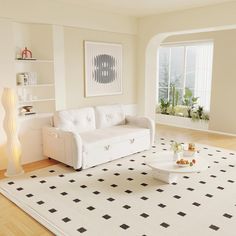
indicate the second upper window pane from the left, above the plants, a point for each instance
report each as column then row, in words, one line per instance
column 177, row 66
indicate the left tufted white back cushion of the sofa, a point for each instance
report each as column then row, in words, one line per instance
column 78, row 120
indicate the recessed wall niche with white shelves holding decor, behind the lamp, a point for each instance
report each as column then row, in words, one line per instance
column 40, row 94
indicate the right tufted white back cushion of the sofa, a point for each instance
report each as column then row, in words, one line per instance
column 107, row 116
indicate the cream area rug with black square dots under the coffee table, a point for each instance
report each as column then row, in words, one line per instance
column 122, row 197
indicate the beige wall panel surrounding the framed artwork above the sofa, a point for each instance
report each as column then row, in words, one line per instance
column 74, row 65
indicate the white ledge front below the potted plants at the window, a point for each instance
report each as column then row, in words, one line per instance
column 183, row 122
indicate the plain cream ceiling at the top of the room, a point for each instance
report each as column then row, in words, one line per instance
column 141, row 8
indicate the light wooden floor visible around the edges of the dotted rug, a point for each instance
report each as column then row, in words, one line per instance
column 15, row 222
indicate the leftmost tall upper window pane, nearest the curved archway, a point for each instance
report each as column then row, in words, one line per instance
column 164, row 55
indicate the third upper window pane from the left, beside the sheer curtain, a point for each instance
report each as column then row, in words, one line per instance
column 190, row 66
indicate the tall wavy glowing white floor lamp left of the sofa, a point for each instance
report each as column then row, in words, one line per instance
column 10, row 126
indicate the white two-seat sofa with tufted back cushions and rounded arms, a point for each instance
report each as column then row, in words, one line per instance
column 86, row 137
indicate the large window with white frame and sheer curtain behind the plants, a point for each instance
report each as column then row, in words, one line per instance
column 186, row 66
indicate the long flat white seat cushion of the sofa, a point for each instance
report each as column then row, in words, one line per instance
column 107, row 136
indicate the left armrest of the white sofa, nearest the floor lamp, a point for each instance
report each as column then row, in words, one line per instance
column 64, row 146
